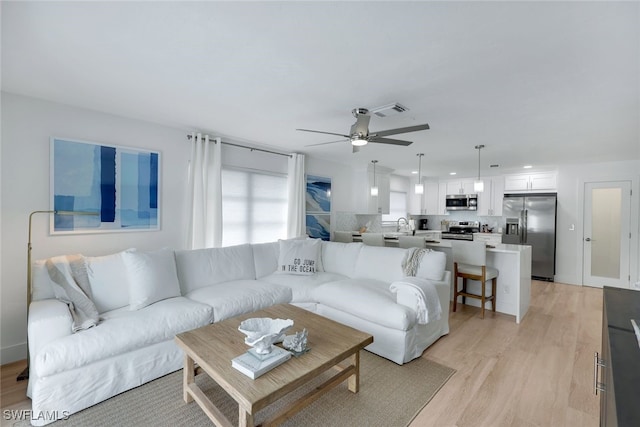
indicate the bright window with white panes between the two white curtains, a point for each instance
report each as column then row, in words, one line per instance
column 254, row 206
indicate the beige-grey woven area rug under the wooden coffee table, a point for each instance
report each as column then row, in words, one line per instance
column 390, row 395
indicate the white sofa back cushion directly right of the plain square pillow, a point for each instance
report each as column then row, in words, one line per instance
column 204, row 267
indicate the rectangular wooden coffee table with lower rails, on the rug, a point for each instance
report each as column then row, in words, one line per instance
column 212, row 347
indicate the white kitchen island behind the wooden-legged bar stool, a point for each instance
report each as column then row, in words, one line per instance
column 513, row 263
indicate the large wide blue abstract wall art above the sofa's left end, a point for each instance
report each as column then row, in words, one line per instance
column 120, row 184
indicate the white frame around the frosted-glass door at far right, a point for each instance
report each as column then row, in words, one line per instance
column 634, row 244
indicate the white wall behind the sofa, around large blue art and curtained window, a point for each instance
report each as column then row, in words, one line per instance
column 27, row 125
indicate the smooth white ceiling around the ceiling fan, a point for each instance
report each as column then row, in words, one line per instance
column 539, row 83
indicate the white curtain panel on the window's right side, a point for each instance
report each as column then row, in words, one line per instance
column 296, row 194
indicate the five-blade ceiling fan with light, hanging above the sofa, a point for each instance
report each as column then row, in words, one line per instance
column 359, row 134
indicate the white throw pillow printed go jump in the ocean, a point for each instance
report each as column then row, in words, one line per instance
column 298, row 256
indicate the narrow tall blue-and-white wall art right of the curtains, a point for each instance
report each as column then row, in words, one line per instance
column 318, row 207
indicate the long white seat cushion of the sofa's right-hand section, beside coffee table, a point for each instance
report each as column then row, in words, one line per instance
column 368, row 299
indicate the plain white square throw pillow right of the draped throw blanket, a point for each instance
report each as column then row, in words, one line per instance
column 152, row 277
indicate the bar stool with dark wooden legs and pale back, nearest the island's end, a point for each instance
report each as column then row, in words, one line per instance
column 470, row 262
